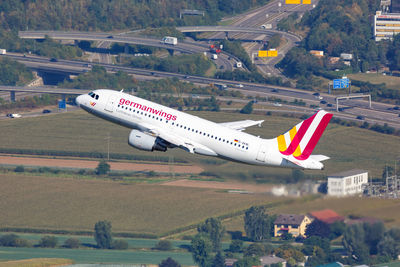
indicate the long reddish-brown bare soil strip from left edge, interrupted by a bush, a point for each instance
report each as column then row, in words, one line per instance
column 88, row 164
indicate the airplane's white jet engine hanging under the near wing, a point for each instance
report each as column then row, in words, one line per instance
column 146, row 142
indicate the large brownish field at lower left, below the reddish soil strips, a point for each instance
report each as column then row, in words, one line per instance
column 75, row 204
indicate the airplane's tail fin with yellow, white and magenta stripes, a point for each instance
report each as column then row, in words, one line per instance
column 301, row 140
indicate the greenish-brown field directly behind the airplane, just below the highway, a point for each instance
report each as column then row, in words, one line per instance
column 348, row 147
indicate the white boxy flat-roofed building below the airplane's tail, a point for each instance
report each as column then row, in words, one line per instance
column 347, row 183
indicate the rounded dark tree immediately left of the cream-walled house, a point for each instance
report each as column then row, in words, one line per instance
column 257, row 224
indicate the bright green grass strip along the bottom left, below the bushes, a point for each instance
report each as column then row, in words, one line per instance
column 95, row 256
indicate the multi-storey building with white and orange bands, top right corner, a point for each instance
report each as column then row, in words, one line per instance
column 386, row 25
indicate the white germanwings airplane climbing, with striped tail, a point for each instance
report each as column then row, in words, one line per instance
column 158, row 128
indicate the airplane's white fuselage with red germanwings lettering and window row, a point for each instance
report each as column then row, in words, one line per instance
column 137, row 113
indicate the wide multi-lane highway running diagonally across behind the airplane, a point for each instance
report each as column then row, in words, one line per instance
column 380, row 112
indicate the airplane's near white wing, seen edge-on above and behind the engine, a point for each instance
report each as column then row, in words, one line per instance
column 182, row 142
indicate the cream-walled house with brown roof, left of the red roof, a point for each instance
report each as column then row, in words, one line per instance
column 291, row 223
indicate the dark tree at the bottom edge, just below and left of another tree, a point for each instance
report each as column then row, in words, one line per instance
column 201, row 250
